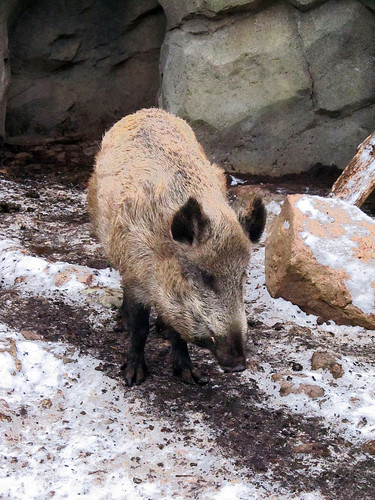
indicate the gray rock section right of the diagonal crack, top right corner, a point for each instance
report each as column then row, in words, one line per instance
column 338, row 41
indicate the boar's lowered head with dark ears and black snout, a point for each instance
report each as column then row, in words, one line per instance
column 204, row 281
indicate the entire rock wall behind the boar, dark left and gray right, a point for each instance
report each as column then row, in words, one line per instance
column 271, row 87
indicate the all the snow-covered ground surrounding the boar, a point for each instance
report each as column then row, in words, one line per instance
column 67, row 430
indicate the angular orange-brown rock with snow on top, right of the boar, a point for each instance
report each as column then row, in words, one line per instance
column 320, row 256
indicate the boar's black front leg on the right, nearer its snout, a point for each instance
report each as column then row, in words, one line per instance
column 182, row 365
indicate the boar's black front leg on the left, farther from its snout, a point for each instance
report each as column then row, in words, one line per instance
column 137, row 318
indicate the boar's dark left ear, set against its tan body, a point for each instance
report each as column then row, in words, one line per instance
column 189, row 223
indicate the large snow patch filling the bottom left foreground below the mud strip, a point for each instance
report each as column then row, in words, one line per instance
column 69, row 431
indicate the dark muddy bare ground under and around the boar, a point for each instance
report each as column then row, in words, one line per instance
column 45, row 210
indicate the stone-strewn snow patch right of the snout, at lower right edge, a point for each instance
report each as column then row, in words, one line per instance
column 348, row 404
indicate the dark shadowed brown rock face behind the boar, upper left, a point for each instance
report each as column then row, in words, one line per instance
column 78, row 67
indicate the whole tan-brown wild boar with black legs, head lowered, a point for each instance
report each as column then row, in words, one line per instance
column 159, row 208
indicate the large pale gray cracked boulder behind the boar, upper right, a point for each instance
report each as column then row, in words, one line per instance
column 275, row 91
